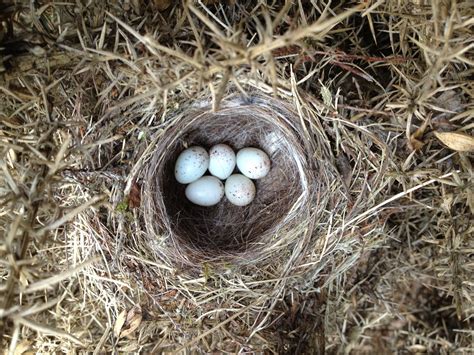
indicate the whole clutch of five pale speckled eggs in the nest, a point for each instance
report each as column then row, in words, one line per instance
column 221, row 161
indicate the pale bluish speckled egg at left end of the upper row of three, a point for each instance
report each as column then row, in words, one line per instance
column 191, row 164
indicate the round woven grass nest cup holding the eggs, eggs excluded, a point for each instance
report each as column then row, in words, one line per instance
column 194, row 234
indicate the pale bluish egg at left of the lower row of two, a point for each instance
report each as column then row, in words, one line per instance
column 206, row 191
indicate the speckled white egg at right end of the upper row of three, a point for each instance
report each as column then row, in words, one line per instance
column 253, row 162
